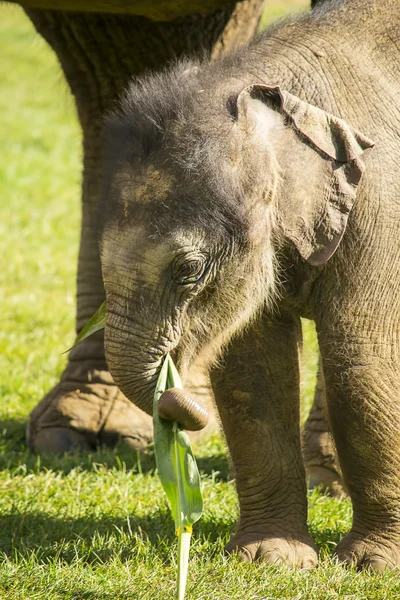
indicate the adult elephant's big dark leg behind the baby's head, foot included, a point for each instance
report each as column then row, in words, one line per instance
column 99, row 54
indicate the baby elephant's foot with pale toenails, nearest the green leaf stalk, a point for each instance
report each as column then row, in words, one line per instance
column 297, row 552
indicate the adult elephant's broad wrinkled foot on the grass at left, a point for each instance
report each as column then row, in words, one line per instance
column 96, row 413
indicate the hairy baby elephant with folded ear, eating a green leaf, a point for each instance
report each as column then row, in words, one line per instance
column 240, row 196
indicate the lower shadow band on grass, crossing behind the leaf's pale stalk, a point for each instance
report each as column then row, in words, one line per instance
column 92, row 539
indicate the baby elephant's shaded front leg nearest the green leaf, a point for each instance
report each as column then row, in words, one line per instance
column 257, row 394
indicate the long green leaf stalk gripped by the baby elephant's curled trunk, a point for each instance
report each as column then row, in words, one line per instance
column 178, row 472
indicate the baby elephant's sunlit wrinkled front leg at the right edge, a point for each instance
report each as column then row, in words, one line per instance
column 362, row 372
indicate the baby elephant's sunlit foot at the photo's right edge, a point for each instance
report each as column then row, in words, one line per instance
column 370, row 551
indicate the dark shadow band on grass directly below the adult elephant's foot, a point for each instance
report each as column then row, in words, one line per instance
column 14, row 454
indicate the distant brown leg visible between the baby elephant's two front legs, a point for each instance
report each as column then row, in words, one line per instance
column 319, row 453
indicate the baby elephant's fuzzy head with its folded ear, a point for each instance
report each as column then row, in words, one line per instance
column 205, row 188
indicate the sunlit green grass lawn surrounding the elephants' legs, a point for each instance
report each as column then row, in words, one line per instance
column 97, row 527
